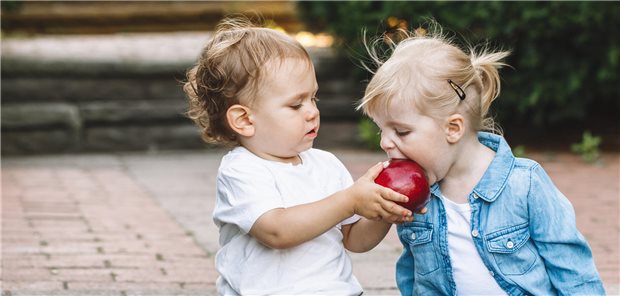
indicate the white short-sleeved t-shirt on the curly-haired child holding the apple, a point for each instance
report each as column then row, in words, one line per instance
column 249, row 186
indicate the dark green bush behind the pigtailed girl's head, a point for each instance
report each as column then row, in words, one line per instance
column 565, row 54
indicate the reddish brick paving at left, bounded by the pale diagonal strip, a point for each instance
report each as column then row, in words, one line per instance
column 84, row 226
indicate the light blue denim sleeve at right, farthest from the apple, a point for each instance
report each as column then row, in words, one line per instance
column 567, row 256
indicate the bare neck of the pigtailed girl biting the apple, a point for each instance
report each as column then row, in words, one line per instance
column 473, row 161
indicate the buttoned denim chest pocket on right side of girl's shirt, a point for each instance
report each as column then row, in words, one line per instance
column 511, row 250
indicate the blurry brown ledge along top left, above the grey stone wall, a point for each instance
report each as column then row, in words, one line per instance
column 105, row 17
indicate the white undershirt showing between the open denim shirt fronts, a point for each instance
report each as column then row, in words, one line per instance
column 470, row 274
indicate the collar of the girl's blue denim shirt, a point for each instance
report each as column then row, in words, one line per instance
column 496, row 176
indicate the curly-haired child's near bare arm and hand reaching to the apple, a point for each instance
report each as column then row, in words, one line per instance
column 288, row 227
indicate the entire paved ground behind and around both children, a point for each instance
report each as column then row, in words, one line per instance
column 140, row 224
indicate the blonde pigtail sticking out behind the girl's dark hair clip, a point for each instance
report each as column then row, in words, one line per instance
column 486, row 65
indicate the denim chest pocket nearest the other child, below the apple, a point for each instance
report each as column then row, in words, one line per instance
column 419, row 239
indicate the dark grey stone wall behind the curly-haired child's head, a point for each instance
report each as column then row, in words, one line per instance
column 111, row 101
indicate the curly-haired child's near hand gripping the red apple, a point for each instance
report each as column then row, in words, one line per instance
column 376, row 202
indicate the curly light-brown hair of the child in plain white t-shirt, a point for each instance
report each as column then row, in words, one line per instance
column 228, row 72
